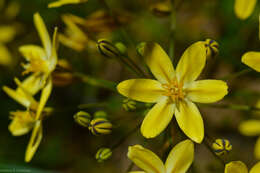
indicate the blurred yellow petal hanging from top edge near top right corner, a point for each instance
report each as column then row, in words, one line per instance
column 244, row 8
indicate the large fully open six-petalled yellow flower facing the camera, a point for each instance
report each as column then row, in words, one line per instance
column 174, row 91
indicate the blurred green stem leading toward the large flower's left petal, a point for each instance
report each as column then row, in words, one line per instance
column 96, row 82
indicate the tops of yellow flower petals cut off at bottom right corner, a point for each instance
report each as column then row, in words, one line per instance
column 240, row 167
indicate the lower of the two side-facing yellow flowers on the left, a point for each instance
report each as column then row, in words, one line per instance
column 25, row 121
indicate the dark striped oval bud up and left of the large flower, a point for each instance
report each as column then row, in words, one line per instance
column 107, row 49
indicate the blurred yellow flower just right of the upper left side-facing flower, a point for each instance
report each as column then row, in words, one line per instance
column 74, row 37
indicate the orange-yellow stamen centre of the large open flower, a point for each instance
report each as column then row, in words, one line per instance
column 174, row 89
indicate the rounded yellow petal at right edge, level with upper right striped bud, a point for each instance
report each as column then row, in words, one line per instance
column 252, row 59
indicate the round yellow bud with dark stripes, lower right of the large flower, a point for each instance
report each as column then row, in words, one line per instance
column 221, row 146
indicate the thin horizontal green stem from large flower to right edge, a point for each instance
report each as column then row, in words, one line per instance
column 233, row 106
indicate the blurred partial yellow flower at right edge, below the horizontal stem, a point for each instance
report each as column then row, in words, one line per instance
column 252, row 128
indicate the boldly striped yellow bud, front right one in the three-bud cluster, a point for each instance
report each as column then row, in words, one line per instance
column 100, row 126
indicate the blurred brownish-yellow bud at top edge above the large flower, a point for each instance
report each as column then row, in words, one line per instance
column 161, row 9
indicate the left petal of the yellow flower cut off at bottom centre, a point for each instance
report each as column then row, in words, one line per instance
column 145, row 159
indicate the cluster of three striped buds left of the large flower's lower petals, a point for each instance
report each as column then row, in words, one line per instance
column 99, row 125
